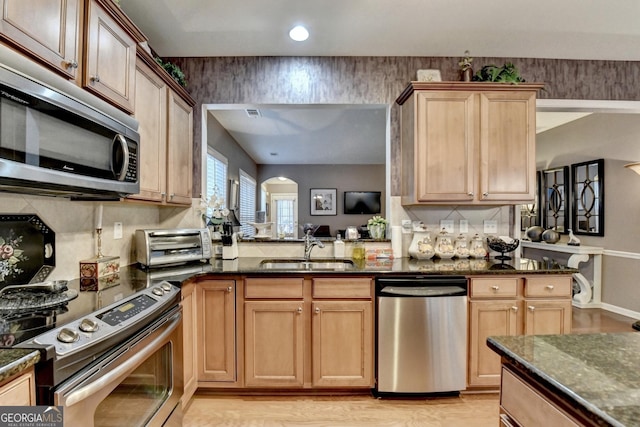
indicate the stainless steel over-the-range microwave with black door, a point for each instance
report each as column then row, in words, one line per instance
column 52, row 143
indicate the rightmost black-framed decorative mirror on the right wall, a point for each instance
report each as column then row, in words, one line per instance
column 587, row 211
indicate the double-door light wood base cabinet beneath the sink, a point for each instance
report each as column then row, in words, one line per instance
column 309, row 332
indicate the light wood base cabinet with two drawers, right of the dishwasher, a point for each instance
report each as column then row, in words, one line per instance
column 513, row 306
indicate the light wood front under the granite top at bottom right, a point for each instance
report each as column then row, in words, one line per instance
column 527, row 407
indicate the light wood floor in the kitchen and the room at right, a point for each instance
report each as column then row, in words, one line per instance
column 468, row 410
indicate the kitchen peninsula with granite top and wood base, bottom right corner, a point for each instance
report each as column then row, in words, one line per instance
column 570, row 380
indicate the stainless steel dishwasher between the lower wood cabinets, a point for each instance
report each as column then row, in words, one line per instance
column 421, row 334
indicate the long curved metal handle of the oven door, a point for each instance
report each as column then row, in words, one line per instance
column 131, row 363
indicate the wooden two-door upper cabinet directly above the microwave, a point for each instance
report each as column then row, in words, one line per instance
column 91, row 42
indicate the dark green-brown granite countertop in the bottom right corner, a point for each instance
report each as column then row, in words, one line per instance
column 596, row 373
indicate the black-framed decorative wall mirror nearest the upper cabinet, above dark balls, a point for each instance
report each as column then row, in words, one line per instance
column 555, row 211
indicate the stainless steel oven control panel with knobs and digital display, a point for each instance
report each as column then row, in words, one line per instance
column 120, row 318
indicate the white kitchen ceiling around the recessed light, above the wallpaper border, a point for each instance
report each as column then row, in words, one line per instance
column 572, row 29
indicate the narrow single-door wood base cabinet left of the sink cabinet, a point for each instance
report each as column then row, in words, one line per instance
column 216, row 331
